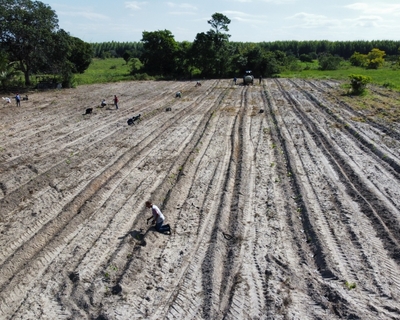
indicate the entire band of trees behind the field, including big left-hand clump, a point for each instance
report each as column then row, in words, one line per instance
column 32, row 43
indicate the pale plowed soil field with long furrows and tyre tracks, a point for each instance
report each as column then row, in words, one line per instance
column 283, row 197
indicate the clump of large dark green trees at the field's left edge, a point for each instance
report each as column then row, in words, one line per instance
column 32, row 43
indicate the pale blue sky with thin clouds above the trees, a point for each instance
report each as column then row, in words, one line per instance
column 251, row 20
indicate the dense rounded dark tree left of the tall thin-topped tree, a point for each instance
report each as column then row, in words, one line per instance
column 160, row 49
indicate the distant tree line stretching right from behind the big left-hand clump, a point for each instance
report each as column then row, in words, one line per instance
column 211, row 54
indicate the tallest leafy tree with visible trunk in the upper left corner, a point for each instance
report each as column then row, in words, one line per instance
column 26, row 29
